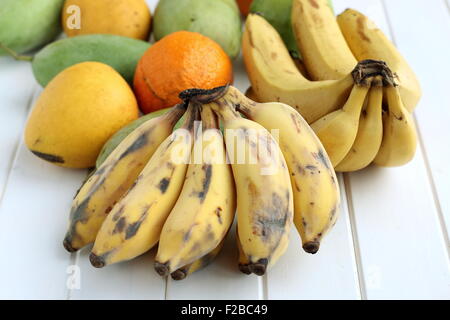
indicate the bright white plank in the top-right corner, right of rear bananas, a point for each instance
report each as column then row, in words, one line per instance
column 432, row 29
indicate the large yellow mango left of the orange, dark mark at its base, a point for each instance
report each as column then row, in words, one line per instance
column 78, row 111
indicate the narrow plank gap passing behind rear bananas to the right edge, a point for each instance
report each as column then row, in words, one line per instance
column 421, row 146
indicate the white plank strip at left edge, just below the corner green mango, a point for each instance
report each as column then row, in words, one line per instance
column 16, row 89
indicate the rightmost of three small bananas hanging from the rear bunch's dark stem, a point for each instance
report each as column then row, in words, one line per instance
column 399, row 132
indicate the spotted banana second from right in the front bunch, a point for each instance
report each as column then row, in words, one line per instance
column 264, row 191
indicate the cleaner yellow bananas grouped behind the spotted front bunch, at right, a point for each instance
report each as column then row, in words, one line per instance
column 347, row 103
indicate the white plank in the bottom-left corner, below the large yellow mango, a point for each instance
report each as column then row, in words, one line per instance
column 33, row 216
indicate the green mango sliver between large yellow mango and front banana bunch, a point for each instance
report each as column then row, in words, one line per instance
column 117, row 138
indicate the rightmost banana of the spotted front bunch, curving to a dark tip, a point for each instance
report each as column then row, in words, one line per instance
column 314, row 182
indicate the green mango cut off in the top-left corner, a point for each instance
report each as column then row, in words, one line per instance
column 28, row 24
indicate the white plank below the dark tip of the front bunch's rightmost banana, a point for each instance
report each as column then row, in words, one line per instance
column 329, row 274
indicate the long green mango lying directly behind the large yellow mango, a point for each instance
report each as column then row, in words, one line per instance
column 121, row 53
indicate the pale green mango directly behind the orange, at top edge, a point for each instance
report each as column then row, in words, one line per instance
column 217, row 19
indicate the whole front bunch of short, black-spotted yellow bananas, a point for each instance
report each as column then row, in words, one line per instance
column 180, row 189
